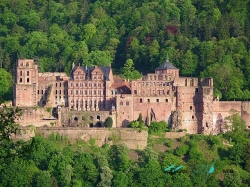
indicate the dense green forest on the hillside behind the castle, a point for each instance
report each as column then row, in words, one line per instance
column 208, row 38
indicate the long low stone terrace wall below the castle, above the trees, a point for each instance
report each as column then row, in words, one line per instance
column 129, row 137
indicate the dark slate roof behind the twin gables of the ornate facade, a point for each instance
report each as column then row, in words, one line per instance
column 88, row 69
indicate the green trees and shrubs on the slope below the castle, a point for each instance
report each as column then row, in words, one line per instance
column 196, row 160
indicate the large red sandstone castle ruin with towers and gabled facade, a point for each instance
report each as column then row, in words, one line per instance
column 91, row 94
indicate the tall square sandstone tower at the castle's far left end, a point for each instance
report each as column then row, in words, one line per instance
column 26, row 82
